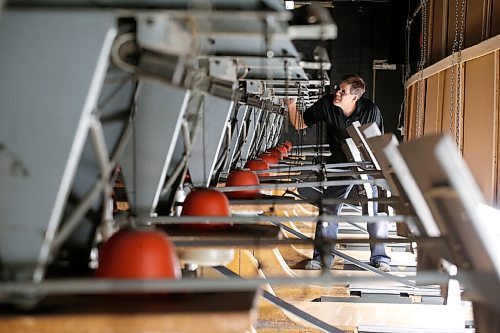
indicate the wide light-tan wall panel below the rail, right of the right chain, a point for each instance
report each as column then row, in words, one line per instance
column 479, row 150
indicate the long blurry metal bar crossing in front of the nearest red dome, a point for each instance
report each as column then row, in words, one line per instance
column 11, row 290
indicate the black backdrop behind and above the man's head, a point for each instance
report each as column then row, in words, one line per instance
column 367, row 31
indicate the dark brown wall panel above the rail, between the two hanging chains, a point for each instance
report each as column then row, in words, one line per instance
column 437, row 39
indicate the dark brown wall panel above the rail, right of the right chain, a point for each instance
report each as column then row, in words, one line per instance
column 475, row 22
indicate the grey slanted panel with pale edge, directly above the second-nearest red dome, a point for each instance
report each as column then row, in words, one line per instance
column 159, row 117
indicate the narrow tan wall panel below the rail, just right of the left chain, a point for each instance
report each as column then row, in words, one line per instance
column 432, row 123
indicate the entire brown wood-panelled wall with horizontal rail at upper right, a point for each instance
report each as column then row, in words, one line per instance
column 480, row 86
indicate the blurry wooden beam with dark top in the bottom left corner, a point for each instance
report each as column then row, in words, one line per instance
column 200, row 312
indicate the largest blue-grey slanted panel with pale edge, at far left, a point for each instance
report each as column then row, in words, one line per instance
column 29, row 217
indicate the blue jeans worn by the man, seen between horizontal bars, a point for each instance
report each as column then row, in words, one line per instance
column 329, row 230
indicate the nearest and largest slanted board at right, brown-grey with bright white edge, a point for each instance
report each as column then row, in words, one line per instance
column 454, row 200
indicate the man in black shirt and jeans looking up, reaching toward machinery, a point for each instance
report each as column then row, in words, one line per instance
column 338, row 111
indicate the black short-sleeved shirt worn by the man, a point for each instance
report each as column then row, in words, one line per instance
column 336, row 122
